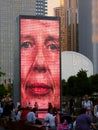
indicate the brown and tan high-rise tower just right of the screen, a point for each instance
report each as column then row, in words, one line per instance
column 68, row 12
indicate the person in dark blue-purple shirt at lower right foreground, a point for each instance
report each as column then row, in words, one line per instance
column 84, row 121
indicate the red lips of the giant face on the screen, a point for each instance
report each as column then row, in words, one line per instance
column 38, row 89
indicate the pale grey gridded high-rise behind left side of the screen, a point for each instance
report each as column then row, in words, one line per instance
column 9, row 12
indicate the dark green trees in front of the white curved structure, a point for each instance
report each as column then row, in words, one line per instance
column 80, row 85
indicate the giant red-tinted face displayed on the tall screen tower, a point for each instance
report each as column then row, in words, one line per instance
column 40, row 62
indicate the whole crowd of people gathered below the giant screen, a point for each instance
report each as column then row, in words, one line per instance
column 85, row 120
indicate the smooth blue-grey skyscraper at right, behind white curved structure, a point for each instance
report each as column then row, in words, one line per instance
column 88, row 30
